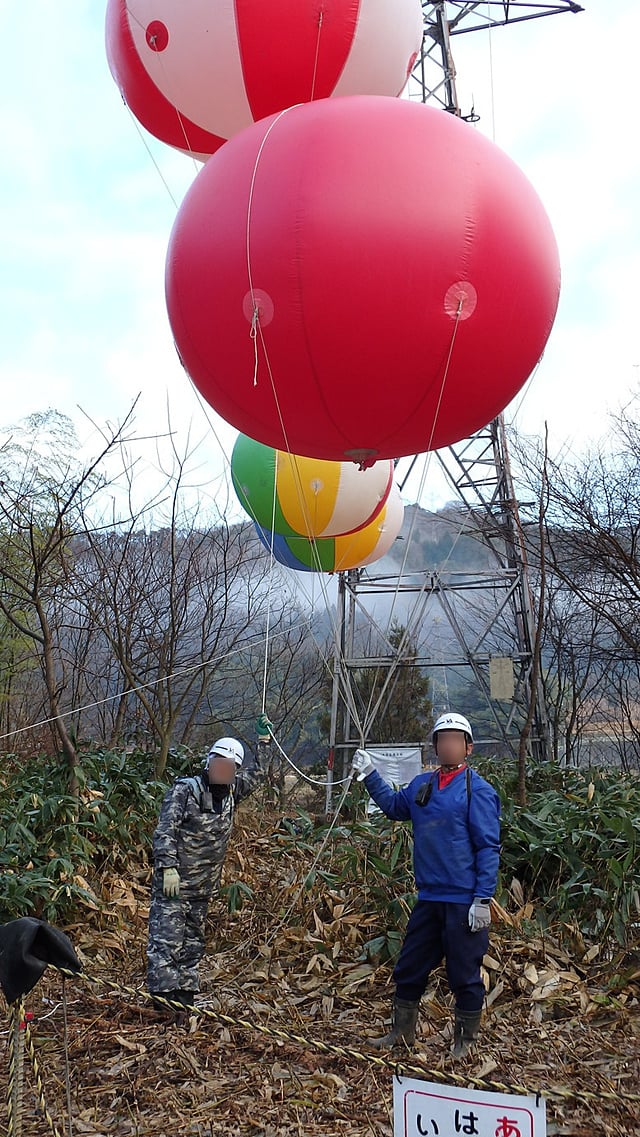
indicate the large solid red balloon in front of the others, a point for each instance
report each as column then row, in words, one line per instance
column 361, row 278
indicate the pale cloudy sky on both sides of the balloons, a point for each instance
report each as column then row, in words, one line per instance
column 86, row 218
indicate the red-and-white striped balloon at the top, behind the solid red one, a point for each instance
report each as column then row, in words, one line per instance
column 197, row 72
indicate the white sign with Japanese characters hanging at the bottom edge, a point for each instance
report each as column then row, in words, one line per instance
column 425, row 1109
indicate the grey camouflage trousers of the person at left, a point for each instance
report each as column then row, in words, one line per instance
column 177, row 940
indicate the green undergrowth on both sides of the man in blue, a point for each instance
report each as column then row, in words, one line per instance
column 576, row 851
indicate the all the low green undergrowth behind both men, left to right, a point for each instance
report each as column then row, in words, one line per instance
column 576, row 849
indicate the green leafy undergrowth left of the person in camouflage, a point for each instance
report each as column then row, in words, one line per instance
column 53, row 845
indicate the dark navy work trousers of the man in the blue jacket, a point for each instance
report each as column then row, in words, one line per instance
column 436, row 932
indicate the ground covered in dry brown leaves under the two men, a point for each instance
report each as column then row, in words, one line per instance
column 562, row 1017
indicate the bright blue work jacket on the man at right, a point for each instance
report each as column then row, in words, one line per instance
column 456, row 835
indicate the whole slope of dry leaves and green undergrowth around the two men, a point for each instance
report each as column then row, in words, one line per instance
column 303, row 941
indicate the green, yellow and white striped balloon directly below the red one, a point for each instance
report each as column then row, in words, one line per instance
column 307, row 497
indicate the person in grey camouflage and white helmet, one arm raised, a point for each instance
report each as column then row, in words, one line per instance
column 189, row 850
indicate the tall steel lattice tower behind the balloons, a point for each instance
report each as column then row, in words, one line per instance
column 478, row 471
